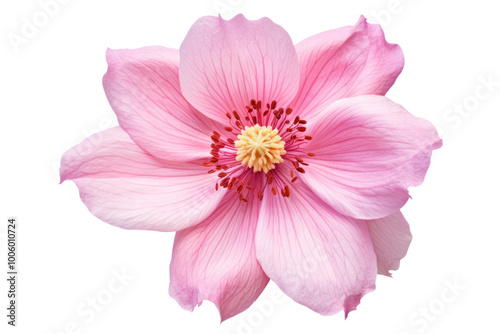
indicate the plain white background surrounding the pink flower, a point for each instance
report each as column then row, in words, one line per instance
column 52, row 98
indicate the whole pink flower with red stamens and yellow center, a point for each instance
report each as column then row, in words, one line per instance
column 270, row 160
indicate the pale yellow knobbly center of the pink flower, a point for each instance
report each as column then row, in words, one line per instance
column 260, row 148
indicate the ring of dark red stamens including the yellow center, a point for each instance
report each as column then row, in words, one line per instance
column 266, row 150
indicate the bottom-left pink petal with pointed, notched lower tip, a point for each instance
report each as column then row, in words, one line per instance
column 215, row 260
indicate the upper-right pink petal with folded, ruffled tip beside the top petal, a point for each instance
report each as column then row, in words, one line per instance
column 345, row 62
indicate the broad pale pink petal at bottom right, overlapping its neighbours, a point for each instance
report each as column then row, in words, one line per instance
column 319, row 258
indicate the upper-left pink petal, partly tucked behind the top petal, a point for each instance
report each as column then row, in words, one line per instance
column 142, row 86
